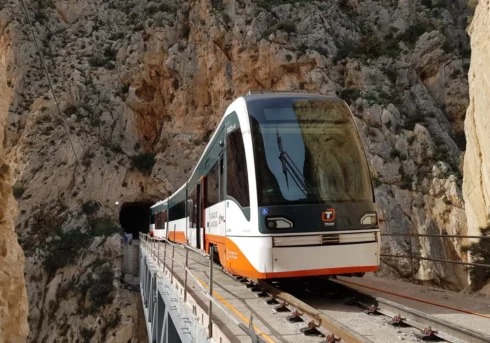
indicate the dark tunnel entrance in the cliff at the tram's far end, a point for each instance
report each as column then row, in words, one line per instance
column 135, row 217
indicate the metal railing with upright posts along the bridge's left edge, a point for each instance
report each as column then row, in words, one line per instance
column 152, row 245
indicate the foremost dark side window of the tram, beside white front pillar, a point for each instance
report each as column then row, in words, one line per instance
column 236, row 164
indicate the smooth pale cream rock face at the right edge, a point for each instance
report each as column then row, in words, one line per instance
column 476, row 186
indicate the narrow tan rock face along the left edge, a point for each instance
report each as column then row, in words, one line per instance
column 13, row 296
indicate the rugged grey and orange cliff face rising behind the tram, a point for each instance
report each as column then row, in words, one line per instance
column 142, row 84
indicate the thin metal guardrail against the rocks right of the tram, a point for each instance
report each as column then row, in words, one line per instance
column 411, row 256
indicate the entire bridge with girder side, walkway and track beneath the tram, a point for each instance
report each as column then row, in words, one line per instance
column 187, row 298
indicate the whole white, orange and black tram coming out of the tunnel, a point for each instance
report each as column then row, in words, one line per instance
column 281, row 190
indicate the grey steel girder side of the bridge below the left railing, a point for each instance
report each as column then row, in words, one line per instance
column 175, row 312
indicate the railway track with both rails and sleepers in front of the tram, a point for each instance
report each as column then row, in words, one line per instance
column 322, row 305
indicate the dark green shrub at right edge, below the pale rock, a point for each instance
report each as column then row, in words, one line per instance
column 480, row 252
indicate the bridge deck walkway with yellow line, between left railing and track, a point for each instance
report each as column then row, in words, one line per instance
column 237, row 300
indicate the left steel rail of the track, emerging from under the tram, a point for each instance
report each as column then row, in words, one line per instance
column 324, row 321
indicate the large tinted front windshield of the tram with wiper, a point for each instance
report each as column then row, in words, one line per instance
column 307, row 151
